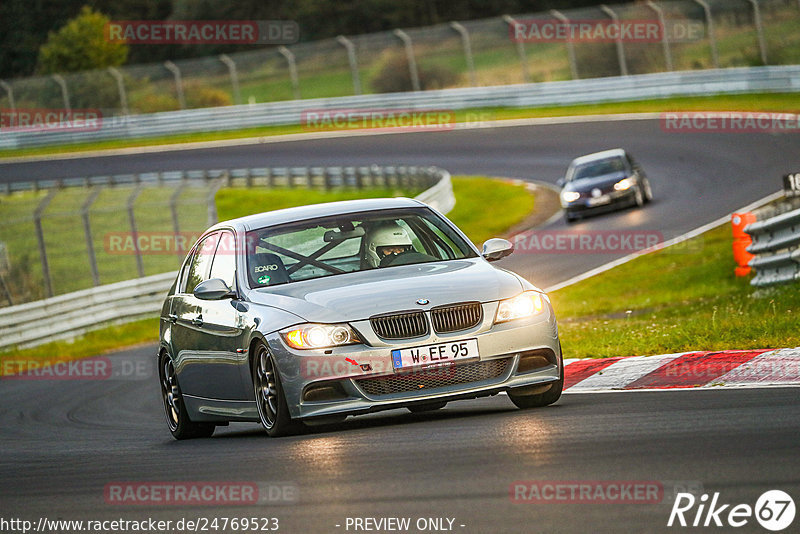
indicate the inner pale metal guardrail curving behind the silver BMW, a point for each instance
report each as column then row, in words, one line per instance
column 72, row 314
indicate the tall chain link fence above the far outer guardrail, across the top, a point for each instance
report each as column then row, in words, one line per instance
column 698, row 34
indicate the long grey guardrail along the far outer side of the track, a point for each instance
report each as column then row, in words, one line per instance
column 589, row 91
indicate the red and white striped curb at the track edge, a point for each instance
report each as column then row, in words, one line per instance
column 706, row 369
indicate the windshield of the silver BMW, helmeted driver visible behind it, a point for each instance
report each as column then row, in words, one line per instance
column 349, row 243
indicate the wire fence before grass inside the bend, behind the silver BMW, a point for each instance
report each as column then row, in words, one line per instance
column 61, row 236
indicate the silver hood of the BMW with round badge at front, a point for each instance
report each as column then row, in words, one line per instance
column 360, row 295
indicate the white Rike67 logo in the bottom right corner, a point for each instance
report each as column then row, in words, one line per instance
column 774, row 510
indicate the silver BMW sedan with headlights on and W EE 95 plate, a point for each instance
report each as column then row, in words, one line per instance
column 311, row 314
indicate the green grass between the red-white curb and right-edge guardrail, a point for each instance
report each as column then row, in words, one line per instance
column 675, row 300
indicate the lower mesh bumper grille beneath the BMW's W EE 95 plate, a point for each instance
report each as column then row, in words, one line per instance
column 437, row 377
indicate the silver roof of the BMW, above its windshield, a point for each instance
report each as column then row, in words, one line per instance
column 312, row 211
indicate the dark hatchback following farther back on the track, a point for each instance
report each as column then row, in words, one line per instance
column 601, row 182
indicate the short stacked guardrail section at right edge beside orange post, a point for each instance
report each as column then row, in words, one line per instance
column 776, row 245
